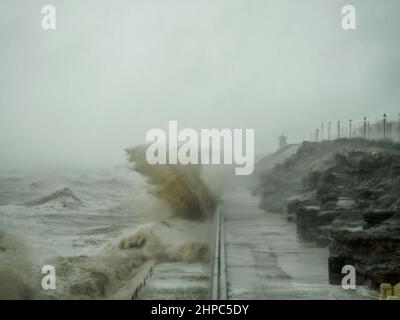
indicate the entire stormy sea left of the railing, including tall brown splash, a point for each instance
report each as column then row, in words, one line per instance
column 104, row 230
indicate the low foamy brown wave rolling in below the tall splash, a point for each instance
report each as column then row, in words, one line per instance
column 116, row 270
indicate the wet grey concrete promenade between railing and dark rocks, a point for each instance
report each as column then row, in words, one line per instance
column 266, row 259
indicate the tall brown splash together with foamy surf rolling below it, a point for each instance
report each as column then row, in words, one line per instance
column 115, row 270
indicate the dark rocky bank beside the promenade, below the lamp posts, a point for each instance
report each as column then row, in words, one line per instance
column 346, row 199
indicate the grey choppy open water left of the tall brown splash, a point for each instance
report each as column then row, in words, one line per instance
column 63, row 226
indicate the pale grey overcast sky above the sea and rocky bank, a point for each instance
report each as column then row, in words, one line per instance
column 112, row 70
